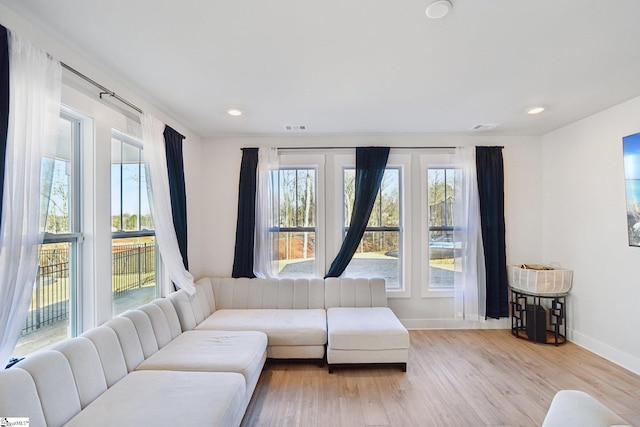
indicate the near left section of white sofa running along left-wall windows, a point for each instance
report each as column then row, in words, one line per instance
column 137, row 369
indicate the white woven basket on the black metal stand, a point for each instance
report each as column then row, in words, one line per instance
column 540, row 279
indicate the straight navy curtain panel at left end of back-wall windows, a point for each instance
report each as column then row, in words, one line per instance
column 245, row 227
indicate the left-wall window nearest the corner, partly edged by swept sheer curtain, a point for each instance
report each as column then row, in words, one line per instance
column 134, row 279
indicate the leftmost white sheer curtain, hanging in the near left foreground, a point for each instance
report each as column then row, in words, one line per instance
column 34, row 111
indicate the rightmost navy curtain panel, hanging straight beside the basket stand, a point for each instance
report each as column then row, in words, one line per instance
column 490, row 170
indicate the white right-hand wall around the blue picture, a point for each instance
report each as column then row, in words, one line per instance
column 585, row 229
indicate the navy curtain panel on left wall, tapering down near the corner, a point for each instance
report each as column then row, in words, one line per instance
column 175, row 168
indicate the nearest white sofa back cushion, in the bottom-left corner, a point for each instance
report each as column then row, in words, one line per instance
column 19, row 397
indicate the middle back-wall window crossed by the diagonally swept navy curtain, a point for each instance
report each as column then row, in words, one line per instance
column 380, row 249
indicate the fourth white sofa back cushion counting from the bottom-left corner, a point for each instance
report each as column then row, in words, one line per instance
column 108, row 347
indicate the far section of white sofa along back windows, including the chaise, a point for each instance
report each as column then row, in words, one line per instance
column 301, row 317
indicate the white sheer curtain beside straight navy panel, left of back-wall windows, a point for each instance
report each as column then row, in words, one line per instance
column 266, row 241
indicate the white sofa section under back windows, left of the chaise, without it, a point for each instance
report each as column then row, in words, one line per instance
column 291, row 312
